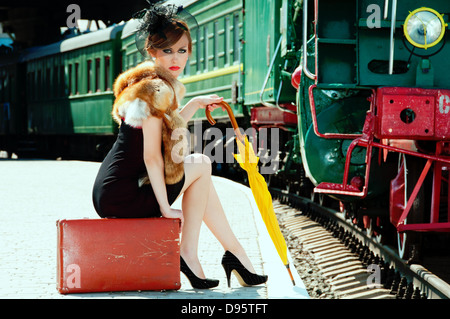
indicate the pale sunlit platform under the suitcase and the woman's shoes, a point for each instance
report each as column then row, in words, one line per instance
column 34, row 194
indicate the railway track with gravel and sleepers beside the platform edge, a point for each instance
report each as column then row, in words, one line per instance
column 344, row 261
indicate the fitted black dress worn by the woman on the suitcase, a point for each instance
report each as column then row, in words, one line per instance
column 116, row 191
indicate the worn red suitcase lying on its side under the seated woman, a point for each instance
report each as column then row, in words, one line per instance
column 100, row 255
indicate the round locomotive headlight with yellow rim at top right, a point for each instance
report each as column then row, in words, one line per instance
column 424, row 28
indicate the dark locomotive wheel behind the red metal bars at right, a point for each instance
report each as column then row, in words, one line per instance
column 409, row 242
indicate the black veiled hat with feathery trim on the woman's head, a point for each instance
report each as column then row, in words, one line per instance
column 156, row 18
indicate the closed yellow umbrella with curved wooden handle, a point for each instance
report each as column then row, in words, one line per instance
column 249, row 162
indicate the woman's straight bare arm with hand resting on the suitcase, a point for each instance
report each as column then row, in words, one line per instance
column 154, row 162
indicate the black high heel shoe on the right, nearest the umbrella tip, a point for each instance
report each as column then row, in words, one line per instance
column 230, row 262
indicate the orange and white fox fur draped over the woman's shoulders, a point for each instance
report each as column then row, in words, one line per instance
column 147, row 90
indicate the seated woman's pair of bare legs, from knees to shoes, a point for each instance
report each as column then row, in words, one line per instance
column 201, row 203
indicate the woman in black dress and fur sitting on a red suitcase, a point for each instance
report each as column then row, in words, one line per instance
column 146, row 107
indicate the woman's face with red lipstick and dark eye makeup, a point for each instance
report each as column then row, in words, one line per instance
column 173, row 59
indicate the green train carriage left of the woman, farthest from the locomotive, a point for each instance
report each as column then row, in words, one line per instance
column 69, row 95
